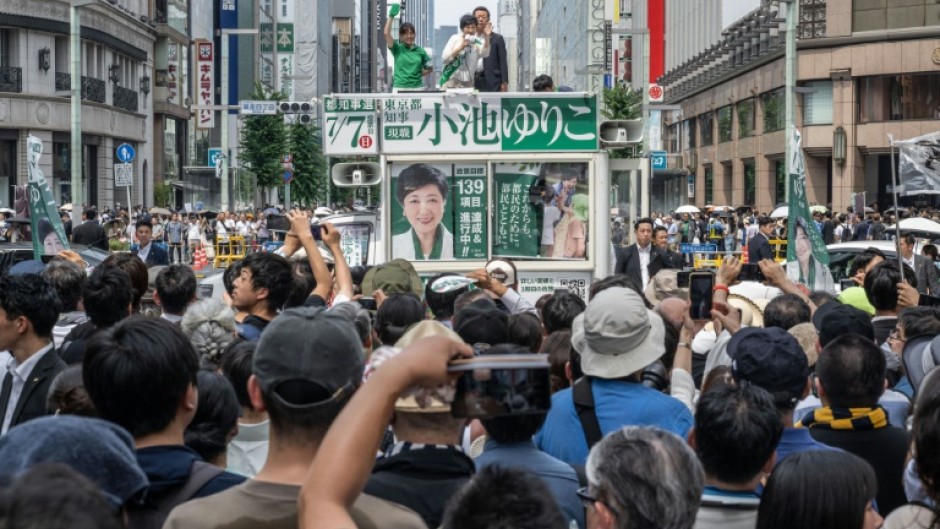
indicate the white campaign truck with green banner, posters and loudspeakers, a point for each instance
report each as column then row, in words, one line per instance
column 466, row 177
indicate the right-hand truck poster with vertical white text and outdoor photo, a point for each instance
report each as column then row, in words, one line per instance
column 542, row 210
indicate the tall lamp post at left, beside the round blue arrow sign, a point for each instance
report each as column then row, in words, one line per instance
column 75, row 80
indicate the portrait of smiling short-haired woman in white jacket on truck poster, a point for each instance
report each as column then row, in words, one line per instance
column 422, row 192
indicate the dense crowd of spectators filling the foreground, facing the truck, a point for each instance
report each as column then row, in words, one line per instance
column 292, row 402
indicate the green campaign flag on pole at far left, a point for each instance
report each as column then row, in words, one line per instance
column 48, row 235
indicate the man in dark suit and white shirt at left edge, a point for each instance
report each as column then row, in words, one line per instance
column 29, row 308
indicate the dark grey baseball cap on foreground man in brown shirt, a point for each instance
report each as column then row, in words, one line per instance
column 308, row 356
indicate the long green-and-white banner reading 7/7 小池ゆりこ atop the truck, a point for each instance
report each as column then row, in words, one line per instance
column 456, row 122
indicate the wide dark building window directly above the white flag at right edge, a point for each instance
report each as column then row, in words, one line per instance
column 899, row 97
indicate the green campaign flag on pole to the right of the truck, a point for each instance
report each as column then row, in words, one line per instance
column 807, row 257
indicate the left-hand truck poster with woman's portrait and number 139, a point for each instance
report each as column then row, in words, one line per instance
column 438, row 211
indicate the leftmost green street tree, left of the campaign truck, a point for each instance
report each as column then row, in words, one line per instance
column 264, row 142
